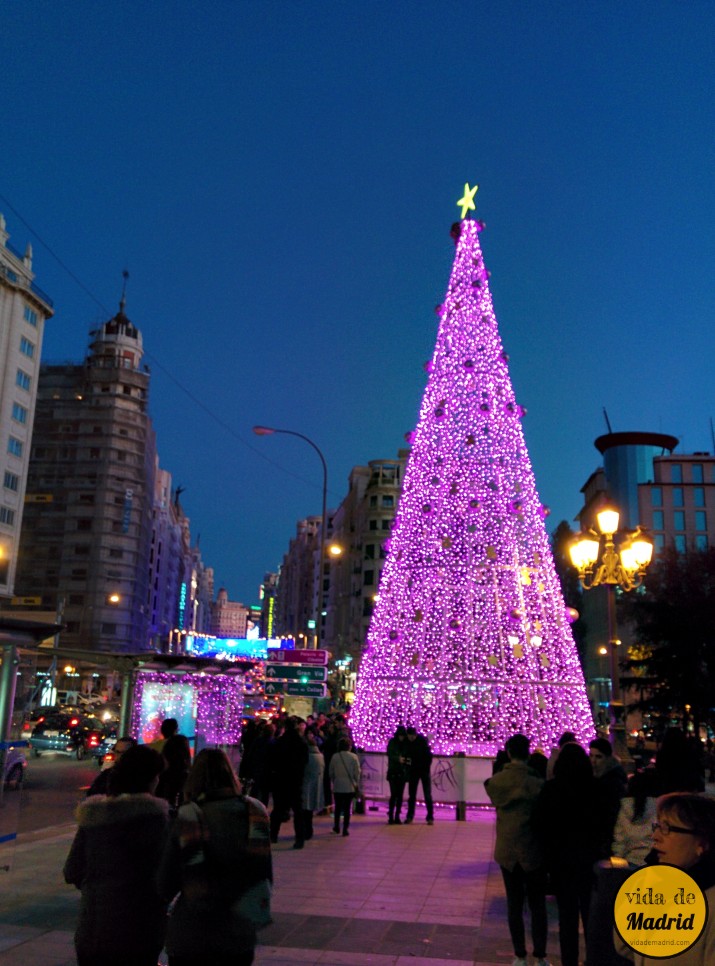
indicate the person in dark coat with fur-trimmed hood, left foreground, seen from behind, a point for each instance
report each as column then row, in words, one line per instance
column 113, row 861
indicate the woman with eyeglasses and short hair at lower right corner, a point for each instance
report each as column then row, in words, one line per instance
column 684, row 836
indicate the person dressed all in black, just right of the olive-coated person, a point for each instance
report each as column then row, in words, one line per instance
column 565, row 820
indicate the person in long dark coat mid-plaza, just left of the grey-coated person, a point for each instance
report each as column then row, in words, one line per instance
column 289, row 757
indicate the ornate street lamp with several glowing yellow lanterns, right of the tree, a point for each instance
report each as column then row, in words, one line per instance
column 600, row 562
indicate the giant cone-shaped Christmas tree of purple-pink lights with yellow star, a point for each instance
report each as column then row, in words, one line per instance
column 469, row 640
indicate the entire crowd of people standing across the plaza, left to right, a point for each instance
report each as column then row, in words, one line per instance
column 177, row 854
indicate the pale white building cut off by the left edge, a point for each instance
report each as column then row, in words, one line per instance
column 24, row 309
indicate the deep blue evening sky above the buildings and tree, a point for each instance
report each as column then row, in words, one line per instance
column 280, row 179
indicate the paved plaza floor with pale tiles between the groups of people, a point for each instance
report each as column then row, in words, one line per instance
column 386, row 895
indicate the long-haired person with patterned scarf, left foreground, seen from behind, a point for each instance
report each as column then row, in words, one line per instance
column 219, row 847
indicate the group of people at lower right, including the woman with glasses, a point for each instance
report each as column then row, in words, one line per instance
column 557, row 817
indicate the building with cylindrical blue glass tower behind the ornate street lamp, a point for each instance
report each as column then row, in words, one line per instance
column 670, row 494
